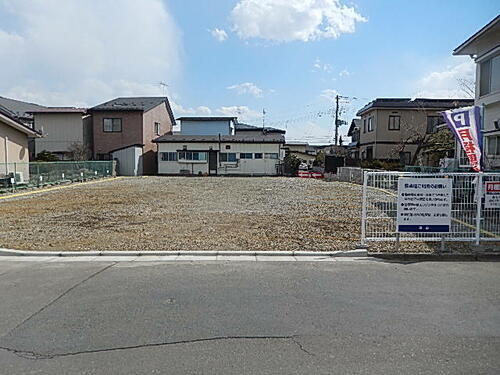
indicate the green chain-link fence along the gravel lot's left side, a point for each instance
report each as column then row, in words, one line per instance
column 14, row 176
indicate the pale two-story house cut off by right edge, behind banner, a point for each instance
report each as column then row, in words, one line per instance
column 484, row 48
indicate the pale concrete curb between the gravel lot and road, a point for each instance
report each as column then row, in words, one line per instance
column 349, row 253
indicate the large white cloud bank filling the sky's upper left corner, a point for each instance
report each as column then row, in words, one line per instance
column 76, row 52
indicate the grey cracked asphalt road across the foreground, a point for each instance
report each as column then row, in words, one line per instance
column 345, row 317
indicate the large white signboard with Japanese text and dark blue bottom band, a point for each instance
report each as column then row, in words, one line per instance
column 424, row 205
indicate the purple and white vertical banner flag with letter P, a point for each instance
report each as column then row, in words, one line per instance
column 465, row 123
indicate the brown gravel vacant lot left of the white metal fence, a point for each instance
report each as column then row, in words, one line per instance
column 187, row 213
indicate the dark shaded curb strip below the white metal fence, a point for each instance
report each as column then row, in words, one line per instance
column 418, row 257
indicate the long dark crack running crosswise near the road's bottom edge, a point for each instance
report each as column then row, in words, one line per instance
column 37, row 356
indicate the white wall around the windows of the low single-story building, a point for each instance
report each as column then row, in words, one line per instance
column 255, row 167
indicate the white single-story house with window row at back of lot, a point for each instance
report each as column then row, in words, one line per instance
column 247, row 155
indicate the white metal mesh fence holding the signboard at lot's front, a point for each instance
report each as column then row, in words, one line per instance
column 470, row 220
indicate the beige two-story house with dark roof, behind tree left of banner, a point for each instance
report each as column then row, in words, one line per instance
column 396, row 129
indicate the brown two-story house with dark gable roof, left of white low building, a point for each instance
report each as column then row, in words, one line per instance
column 124, row 122
